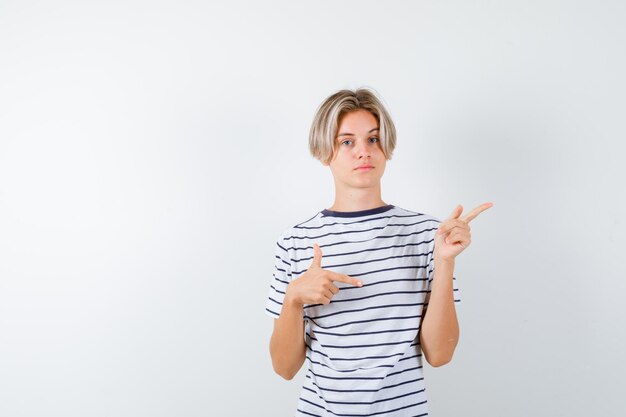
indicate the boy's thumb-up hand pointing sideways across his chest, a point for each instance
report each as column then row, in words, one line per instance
column 316, row 286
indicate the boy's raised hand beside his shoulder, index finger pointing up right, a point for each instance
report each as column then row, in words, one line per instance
column 453, row 236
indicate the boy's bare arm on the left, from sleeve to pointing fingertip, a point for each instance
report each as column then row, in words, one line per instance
column 315, row 286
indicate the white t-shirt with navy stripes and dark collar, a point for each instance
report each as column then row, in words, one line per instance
column 362, row 349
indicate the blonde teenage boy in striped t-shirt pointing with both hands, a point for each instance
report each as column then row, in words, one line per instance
column 363, row 289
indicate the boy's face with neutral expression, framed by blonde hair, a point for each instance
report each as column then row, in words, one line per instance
column 358, row 161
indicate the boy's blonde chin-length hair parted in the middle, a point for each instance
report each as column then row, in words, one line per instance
column 326, row 122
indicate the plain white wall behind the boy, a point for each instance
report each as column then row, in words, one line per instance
column 152, row 152
